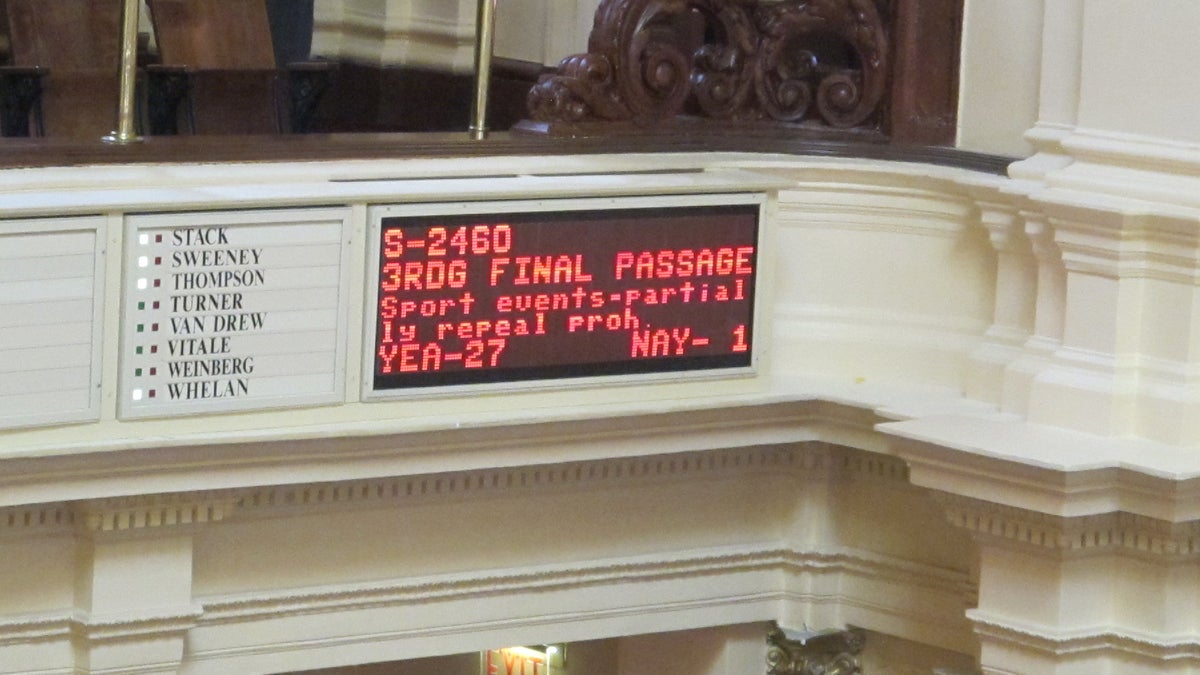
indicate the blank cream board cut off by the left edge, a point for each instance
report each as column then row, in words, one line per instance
column 52, row 290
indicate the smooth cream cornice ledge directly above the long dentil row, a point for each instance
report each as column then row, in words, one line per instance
column 379, row 450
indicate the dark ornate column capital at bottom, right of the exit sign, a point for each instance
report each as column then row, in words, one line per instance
column 814, row 653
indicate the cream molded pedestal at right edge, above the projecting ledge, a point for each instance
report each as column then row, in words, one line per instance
column 1127, row 362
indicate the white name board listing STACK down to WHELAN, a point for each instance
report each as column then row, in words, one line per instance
column 233, row 312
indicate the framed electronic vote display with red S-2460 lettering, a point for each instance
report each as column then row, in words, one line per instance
column 561, row 290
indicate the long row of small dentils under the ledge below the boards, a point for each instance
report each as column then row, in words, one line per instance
column 158, row 513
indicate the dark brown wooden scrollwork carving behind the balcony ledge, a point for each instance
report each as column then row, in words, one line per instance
column 813, row 62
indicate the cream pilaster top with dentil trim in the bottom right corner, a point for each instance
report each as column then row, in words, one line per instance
column 1112, row 593
